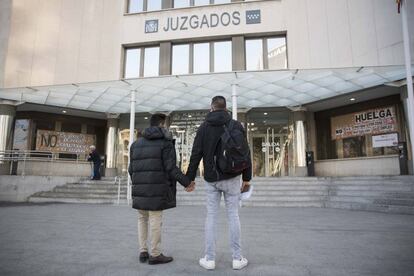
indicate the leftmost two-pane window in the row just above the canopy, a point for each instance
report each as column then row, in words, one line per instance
column 138, row 58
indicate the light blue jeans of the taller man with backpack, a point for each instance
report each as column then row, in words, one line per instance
column 230, row 188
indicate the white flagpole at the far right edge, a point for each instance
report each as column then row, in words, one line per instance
column 407, row 54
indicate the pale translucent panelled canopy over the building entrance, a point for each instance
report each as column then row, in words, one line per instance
column 192, row 92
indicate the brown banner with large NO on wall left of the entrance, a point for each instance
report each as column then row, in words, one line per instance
column 55, row 141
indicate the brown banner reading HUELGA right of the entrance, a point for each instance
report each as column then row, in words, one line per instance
column 373, row 121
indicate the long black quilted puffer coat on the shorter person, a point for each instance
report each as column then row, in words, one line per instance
column 154, row 172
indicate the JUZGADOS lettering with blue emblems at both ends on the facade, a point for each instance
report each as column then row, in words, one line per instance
column 204, row 21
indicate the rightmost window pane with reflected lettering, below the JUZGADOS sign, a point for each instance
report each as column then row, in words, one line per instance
column 276, row 54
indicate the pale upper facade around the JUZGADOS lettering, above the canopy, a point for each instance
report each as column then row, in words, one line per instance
column 72, row 41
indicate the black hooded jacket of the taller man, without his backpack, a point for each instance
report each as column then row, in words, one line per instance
column 205, row 146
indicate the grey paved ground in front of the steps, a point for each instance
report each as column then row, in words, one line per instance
column 63, row 239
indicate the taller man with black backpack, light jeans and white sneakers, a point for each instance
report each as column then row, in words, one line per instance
column 221, row 143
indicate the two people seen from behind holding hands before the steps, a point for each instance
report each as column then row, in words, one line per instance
column 222, row 145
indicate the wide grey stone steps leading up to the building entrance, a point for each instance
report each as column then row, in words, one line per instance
column 384, row 194
